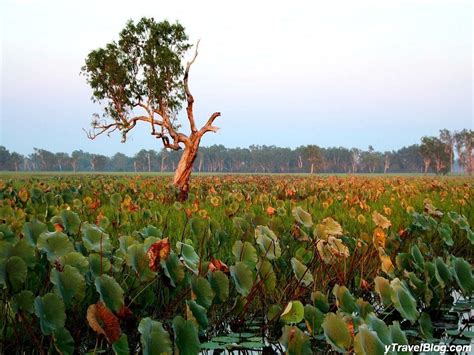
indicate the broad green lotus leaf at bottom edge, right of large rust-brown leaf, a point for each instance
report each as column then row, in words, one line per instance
column 154, row 338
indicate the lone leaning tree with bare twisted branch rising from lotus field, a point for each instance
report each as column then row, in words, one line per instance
column 143, row 71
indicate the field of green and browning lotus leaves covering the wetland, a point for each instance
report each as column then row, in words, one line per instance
column 295, row 264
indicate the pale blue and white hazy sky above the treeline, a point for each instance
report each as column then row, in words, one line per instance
column 349, row 73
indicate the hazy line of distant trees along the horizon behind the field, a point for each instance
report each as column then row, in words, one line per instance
column 450, row 152
